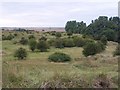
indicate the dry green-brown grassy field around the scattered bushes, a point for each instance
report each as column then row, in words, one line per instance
column 36, row 70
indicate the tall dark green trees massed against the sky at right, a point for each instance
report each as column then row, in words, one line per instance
column 103, row 26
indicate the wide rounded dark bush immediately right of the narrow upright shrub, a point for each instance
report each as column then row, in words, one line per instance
column 42, row 46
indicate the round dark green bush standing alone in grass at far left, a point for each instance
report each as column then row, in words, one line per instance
column 20, row 53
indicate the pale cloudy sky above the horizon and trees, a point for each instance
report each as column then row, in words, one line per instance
column 51, row 13
